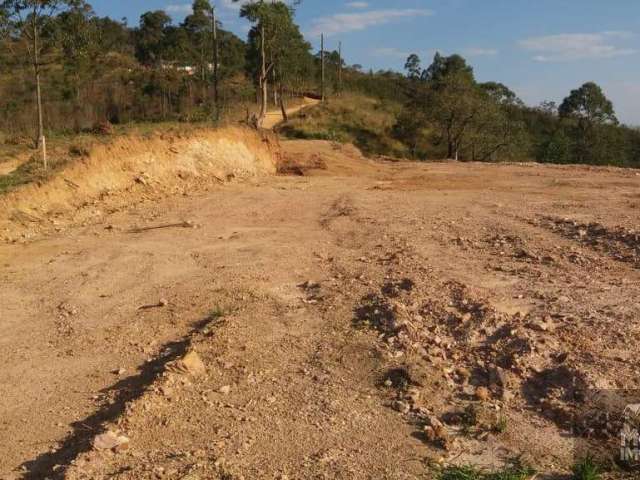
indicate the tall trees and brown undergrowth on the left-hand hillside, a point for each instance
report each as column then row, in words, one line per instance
column 87, row 70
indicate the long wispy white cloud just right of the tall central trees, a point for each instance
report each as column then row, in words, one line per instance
column 350, row 22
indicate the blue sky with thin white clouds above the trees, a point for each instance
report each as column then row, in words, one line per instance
column 541, row 49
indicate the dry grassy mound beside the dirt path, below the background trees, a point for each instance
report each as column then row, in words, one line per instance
column 357, row 119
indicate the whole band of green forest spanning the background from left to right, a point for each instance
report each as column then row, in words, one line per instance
column 80, row 72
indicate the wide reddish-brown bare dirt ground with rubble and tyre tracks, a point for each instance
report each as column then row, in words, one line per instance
column 356, row 319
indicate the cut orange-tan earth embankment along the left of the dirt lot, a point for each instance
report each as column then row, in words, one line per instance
column 136, row 167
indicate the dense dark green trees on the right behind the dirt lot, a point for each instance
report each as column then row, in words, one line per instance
column 448, row 114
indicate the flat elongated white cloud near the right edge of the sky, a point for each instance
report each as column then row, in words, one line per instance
column 578, row 46
